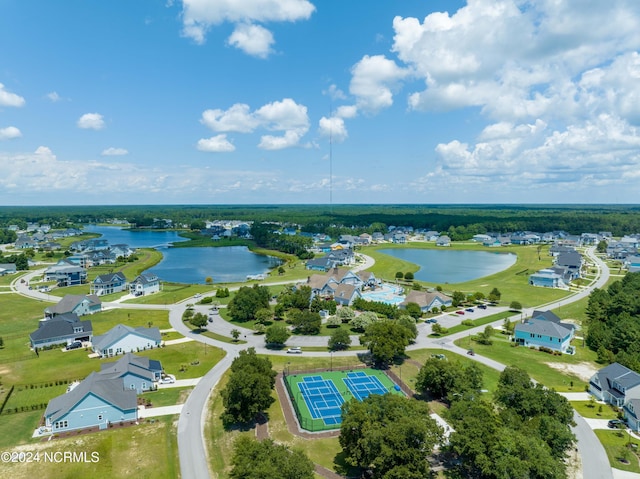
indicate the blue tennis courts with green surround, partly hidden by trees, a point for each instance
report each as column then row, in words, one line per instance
column 318, row 397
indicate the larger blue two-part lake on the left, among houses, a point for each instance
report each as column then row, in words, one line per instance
column 191, row 265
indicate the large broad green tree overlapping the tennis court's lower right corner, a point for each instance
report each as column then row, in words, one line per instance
column 388, row 436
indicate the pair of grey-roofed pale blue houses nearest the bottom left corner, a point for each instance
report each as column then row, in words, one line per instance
column 106, row 397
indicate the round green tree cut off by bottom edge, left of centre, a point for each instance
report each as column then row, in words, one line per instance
column 254, row 459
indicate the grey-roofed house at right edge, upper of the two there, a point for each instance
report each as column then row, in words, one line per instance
column 615, row 384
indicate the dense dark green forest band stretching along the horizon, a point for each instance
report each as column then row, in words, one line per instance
column 459, row 220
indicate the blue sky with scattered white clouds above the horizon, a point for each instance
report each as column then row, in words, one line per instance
column 234, row 101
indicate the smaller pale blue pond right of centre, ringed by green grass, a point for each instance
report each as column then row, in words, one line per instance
column 453, row 266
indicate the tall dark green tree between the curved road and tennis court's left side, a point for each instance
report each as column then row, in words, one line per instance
column 248, row 391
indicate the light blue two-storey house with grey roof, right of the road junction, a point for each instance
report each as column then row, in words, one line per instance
column 544, row 329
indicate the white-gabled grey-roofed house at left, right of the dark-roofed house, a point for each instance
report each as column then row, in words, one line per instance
column 123, row 339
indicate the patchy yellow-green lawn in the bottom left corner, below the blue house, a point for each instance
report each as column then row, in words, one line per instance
column 147, row 451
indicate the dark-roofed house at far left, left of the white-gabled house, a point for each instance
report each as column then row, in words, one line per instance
column 63, row 329
